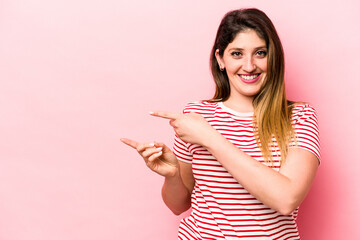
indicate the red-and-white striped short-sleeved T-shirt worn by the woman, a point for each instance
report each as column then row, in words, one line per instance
column 220, row 207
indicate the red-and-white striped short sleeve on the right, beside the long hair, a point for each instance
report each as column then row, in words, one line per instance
column 306, row 129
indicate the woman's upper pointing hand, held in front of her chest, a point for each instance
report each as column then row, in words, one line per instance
column 191, row 127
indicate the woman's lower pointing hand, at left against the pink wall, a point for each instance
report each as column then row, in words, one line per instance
column 158, row 157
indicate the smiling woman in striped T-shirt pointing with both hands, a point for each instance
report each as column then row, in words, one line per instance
column 244, row 160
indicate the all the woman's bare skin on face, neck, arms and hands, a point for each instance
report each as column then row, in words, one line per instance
column 282, row 191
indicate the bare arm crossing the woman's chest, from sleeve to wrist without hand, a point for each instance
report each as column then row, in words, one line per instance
column 282, row 191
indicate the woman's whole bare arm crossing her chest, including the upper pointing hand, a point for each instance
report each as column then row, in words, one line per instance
column 282, row 191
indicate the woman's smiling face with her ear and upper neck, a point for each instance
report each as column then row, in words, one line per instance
column 245, row 62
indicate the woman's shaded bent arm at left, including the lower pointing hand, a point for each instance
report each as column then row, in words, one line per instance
column 179, row 181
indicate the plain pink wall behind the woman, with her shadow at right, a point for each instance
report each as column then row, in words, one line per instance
column 77, row 75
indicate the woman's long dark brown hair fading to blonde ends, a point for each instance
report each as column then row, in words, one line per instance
column 272, row 111
